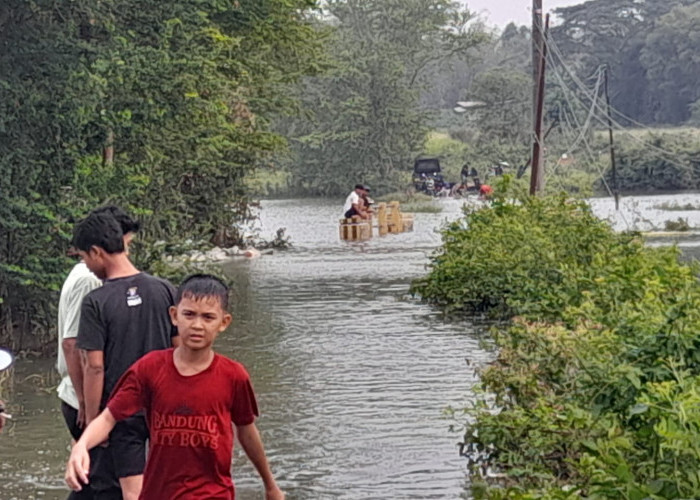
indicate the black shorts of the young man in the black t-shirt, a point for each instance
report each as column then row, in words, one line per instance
column 127, row 444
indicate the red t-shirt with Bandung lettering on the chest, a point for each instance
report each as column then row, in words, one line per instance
column 189, row 418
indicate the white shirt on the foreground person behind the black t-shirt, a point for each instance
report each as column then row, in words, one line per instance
column 78, row 284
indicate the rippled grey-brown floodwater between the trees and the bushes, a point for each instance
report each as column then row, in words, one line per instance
column 352, row 376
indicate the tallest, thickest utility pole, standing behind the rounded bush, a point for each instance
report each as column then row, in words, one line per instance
column 537, row 174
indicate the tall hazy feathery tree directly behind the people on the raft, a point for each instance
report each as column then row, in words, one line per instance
column 363, row 122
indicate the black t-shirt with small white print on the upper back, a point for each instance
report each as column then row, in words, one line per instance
column 126, row 318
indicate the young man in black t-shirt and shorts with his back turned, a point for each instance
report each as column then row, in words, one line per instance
column 119, row 322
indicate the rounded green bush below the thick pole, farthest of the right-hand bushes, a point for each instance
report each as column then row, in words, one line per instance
column 483, row 267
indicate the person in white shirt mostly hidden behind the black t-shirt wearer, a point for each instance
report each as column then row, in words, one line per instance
column 78, row 284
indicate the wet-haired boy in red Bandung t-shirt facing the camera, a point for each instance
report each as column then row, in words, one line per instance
column 191, row 395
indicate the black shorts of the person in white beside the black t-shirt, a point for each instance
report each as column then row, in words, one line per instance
column 104, row 484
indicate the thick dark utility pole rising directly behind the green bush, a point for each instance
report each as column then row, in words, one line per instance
column 539, row 61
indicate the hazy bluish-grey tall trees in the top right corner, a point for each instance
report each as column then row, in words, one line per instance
column 647, row 46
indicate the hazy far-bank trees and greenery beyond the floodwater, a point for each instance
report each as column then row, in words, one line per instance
column 396, row 71
